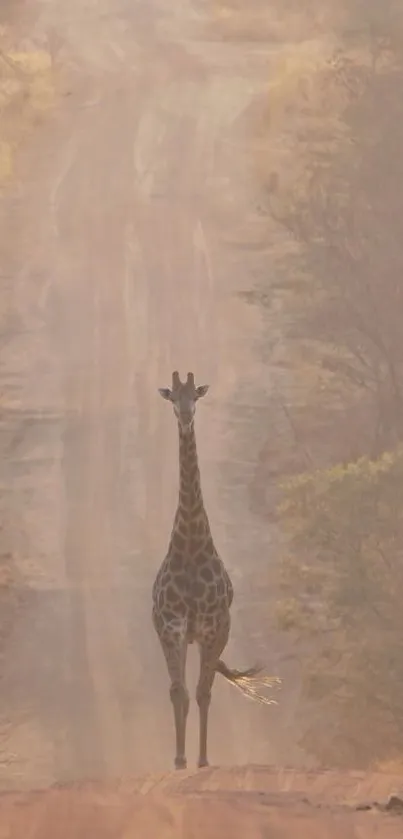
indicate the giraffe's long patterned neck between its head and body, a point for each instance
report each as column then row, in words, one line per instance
column 190, row 502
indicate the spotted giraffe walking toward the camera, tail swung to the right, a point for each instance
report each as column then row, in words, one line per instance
column 192, row 592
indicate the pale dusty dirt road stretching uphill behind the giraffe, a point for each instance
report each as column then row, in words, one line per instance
column 117, row 235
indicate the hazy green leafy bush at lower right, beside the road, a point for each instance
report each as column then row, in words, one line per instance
column 342, row 581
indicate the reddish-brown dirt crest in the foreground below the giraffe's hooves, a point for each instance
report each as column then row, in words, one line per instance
column 253, row 802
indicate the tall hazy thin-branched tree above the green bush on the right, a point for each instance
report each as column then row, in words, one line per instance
column 338, row 284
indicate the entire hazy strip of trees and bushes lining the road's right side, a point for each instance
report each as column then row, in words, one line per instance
column 327, row 158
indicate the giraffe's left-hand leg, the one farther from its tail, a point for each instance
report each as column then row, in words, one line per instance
column 175, row 651
